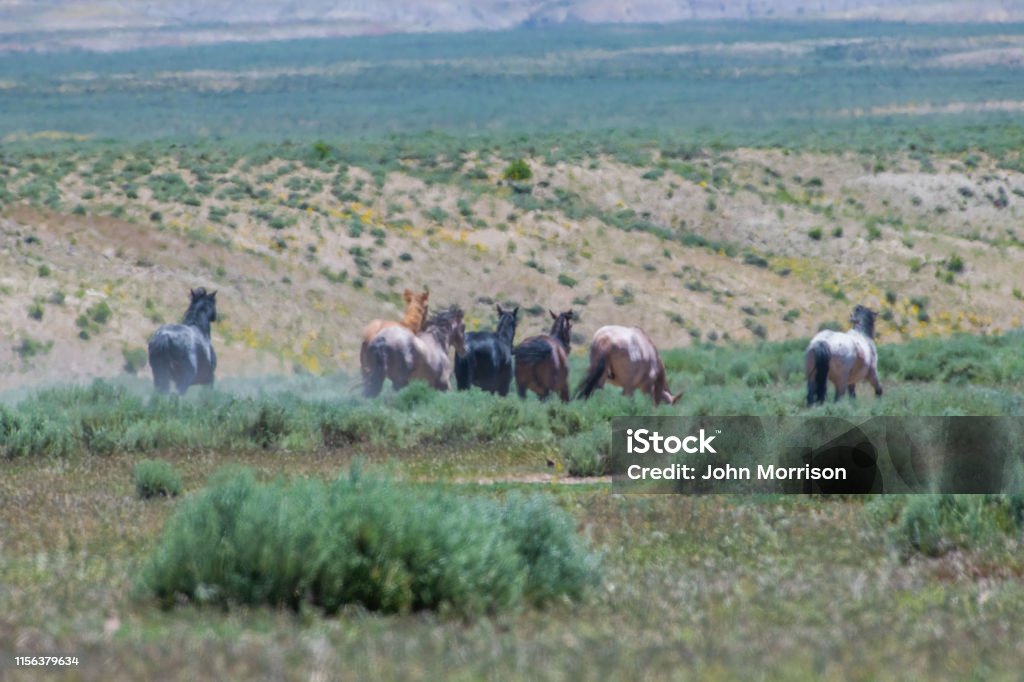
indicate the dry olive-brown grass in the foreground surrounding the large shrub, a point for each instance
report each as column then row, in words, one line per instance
column 712, row 587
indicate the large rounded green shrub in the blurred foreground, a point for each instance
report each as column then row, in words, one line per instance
column 388, row 547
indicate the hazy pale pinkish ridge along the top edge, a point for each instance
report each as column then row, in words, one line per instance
column 121, row 25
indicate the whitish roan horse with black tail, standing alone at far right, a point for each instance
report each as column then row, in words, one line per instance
column 843, row 358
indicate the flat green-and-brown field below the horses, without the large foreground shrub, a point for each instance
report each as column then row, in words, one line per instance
column 718, row 587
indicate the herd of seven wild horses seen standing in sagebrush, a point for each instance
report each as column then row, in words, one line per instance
column 418, row 349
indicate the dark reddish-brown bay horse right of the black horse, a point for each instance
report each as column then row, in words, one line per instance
column 542, row 362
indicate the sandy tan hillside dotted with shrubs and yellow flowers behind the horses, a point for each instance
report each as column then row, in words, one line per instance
column 99, row 248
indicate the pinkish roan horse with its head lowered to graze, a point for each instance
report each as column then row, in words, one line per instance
column 626, row 357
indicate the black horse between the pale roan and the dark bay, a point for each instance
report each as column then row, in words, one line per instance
column 488, row 361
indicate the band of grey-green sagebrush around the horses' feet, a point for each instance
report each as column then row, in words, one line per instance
column 961, row 375
